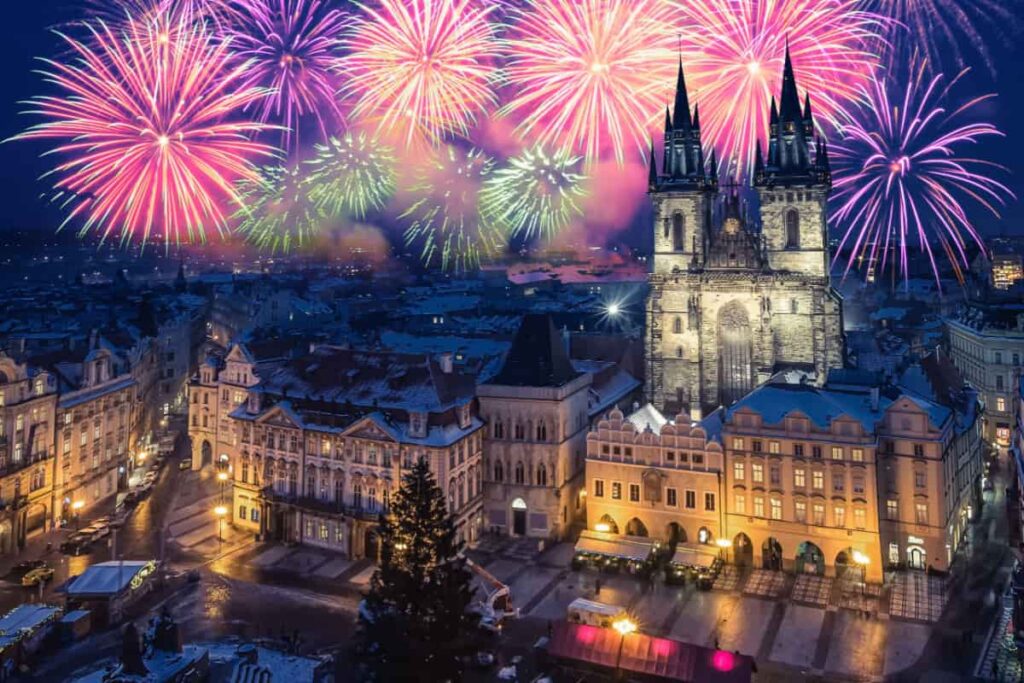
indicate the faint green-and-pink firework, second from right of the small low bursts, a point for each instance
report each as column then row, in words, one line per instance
column 445, row 222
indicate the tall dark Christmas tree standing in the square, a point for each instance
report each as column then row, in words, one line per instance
column 413, row 624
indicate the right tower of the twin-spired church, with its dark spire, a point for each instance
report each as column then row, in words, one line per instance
column 793, row 186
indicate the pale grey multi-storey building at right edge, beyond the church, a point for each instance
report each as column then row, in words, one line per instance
column 988, row 347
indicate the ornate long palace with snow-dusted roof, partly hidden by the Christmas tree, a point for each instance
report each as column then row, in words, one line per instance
column 317, row 445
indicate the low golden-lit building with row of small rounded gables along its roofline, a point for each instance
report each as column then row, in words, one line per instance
column 649, row 476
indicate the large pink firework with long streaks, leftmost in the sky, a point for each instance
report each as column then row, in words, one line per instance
column 151, row 130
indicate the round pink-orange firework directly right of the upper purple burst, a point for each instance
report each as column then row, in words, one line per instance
column 422, row 68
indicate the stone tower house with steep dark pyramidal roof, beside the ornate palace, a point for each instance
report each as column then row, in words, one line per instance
column 539, row 408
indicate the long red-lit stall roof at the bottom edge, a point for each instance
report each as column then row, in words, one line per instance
column 660, row 658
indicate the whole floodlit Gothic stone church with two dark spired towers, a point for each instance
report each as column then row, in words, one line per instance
column 730, row 306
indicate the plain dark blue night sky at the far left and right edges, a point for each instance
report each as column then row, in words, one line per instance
column 24, row 36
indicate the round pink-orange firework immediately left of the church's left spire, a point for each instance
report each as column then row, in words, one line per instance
column 590, row 75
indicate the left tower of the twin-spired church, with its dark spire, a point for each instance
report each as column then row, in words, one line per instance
column 684, row 193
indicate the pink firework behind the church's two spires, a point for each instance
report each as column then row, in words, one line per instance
column 734, row 52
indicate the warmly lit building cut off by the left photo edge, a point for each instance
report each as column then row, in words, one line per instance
column 28, row 411
